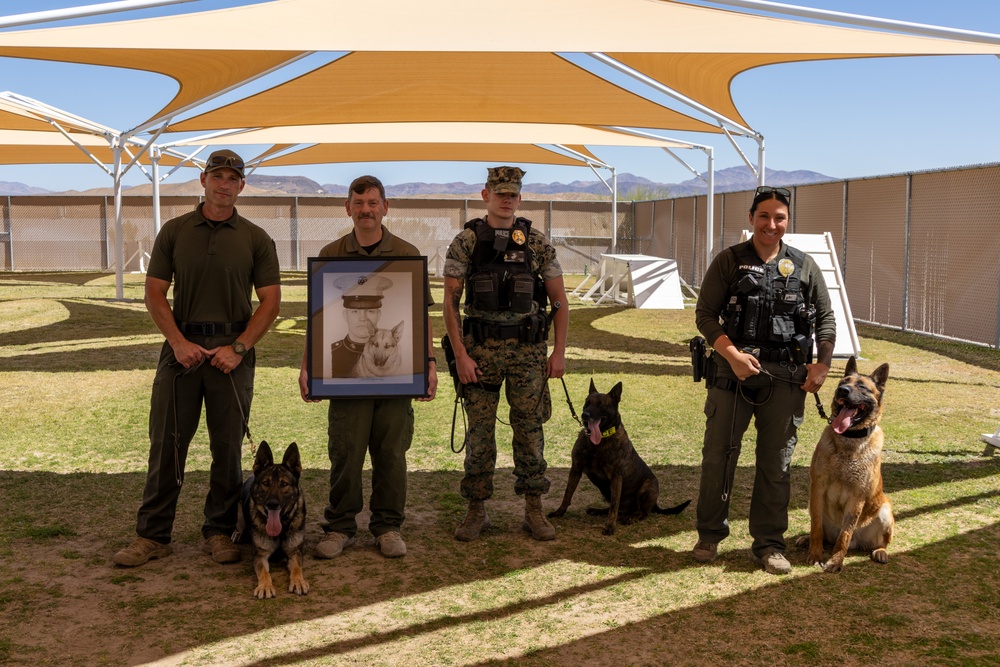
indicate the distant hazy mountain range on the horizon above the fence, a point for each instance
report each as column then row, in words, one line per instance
column 630, row 186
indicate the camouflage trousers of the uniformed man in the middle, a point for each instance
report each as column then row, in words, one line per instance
column 521, row 367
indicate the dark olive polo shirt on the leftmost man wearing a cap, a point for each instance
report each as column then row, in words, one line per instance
column 213, row 266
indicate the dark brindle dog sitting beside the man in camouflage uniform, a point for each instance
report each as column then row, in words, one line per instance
column 605, row 453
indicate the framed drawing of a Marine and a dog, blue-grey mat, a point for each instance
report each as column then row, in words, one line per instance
column 367, row 331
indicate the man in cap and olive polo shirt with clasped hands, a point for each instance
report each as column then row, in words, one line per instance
column 213, row 257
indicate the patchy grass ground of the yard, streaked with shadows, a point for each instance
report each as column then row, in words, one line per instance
column 75, row 373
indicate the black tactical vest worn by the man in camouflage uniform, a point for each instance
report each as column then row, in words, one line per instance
column 500, row 275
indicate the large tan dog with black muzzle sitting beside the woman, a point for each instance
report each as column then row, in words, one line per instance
column 847, row 507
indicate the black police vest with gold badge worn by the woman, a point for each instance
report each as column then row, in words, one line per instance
column 766, row 305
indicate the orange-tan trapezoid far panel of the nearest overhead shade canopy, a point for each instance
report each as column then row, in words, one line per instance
column 447, row 87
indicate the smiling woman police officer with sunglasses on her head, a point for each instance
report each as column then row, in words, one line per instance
column 760, row 304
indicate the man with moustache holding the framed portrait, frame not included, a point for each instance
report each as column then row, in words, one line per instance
column 382, row 427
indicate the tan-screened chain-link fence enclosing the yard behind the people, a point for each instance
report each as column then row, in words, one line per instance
column 919, row 252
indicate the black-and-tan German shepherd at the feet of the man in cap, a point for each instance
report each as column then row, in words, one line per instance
column 274, row 510
